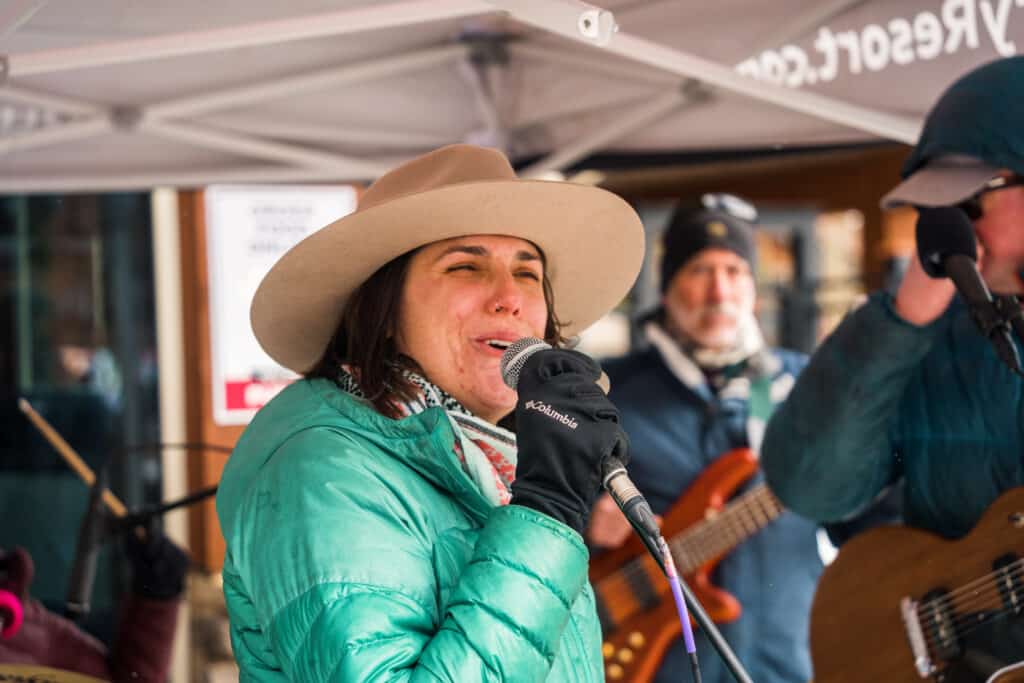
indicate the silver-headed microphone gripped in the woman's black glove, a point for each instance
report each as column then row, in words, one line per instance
column 614, row 478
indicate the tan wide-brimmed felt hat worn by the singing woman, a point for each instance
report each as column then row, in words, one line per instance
column 592, row 240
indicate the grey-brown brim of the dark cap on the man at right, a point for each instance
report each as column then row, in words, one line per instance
column 941, row 185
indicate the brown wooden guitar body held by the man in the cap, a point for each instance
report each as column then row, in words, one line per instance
column 858, row 628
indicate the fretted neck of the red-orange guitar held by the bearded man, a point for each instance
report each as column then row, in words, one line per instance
column 721, row 531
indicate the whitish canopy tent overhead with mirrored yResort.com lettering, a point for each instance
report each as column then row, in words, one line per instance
column 117, row 95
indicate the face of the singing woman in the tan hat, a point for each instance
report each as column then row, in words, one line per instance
column 463, row 302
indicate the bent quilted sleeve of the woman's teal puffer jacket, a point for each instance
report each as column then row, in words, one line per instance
column 342, row 575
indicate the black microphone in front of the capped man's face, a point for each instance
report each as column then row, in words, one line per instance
column 948, row 248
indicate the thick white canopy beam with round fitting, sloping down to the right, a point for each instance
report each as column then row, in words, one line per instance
column 593, row 26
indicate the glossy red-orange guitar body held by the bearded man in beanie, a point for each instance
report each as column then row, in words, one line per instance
column 636, row 644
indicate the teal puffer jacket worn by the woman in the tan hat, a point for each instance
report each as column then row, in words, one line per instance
column 359, row 550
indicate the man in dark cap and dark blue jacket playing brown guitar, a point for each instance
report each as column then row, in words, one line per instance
column 907, row 388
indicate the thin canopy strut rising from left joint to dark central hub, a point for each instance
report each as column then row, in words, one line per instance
column 312, row 81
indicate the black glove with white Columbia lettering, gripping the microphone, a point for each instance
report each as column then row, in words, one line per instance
column 566, row 430
